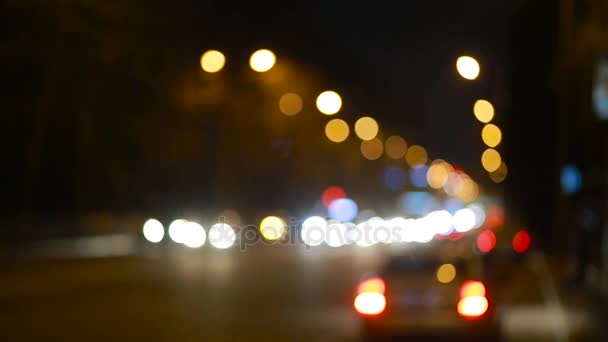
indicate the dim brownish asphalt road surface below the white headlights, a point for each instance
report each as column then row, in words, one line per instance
column 177, row 294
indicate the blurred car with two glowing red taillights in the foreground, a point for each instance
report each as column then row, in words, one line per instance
column 427, row 297
